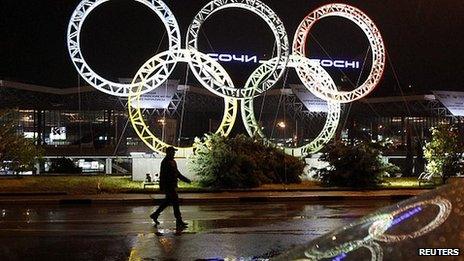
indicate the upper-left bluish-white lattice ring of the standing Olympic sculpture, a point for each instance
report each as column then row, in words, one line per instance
column 95, row 80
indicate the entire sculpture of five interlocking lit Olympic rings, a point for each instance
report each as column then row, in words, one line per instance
column 215, row 78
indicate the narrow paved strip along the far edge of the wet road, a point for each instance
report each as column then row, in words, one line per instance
column 199, row 198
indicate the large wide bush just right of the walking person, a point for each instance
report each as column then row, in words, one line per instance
column 242, row 162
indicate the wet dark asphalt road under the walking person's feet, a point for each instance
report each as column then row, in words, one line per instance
column 121, row 232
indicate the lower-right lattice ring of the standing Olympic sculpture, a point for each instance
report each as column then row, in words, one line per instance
column 314, row 75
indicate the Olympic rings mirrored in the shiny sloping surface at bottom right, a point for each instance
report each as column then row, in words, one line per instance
column 379, row 227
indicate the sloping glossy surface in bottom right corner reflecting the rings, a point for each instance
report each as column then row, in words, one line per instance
column 433, row 222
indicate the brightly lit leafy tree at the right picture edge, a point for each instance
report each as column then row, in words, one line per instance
column 444, row 152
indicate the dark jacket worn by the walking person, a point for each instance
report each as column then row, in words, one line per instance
column 169, row 175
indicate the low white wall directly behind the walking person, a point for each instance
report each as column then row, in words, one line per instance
column 143, row 165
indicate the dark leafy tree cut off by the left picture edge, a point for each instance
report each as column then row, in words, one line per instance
column 16, row 152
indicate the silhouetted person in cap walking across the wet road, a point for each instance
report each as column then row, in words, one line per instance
column 168, row 185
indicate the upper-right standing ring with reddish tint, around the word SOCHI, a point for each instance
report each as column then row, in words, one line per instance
column 373, row 35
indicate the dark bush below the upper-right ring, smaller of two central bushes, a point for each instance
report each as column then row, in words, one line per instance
column 359, row 165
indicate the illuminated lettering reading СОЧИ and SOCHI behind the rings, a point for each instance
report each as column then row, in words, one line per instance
column 245, row 58
